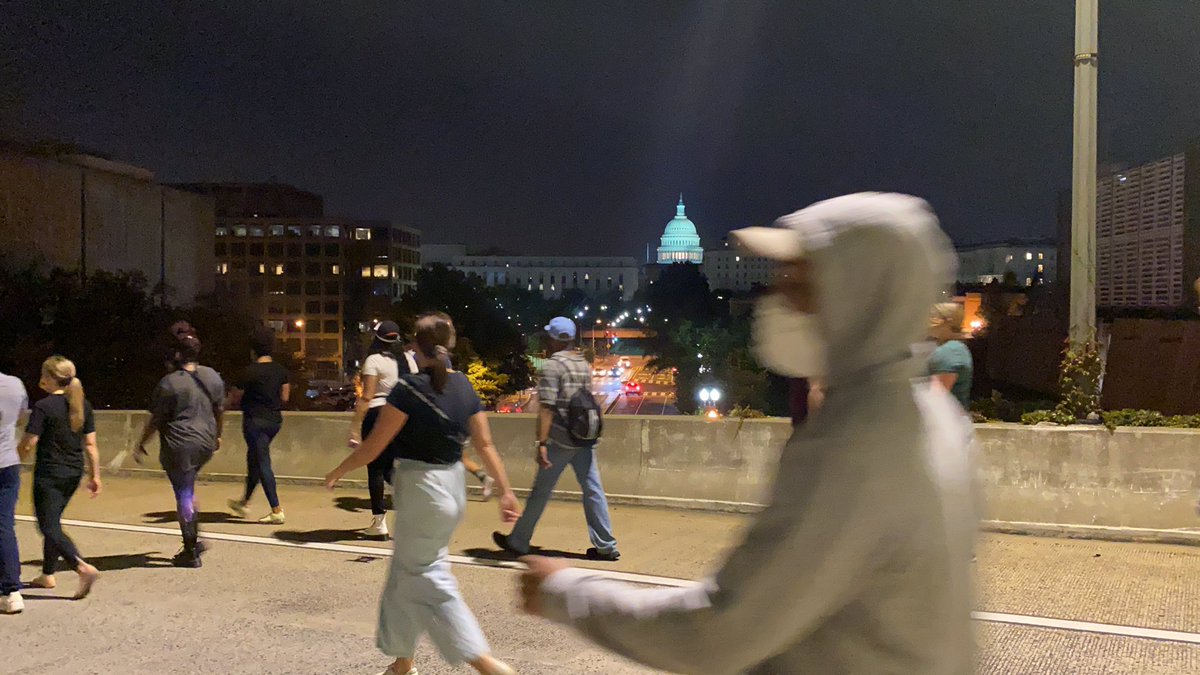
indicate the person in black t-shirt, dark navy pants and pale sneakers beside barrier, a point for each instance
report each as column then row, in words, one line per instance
column 261, row 392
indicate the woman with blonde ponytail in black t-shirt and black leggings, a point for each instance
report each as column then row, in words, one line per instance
column 63, row 429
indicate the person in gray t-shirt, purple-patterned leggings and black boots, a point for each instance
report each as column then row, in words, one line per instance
column 185, row 410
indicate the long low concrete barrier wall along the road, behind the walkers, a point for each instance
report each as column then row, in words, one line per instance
column 1078, row 475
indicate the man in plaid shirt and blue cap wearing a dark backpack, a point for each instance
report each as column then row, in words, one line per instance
column 565, row 389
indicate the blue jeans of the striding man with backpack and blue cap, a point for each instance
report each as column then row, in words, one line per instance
column 596, row 504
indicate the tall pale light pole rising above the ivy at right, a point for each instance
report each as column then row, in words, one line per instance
column 1083, row 213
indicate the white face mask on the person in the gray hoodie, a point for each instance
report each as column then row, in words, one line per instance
column 787, row 342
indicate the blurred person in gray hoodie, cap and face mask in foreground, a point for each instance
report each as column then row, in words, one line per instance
column 861, row 560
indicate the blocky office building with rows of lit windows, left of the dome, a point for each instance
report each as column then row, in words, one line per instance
column 313, row 278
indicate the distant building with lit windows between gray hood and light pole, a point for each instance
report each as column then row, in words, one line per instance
column 1024, row 262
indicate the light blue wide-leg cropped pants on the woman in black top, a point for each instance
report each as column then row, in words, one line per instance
column 422, row 594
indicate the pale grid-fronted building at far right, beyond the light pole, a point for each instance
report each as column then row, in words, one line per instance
column 1148, row 234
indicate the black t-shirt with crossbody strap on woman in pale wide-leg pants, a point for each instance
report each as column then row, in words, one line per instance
column 427, row 437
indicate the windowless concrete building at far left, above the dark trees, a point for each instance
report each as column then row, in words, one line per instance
column 79, row 212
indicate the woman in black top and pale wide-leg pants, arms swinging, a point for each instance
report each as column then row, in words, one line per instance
column 428, row 420
